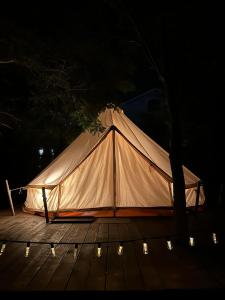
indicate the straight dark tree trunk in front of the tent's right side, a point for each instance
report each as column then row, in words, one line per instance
column 172, row 96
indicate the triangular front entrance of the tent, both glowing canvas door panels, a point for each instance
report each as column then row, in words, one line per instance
column 115, row 175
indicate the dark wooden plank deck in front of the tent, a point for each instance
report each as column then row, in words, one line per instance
column 185, row 267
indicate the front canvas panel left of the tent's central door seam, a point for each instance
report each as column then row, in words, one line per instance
column 90, row 185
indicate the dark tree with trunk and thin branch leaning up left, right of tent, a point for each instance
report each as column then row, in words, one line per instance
column 175, row 139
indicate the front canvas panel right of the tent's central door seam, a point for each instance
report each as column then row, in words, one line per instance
column 137, row 183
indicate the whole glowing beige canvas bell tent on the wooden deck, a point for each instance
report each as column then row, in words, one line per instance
column 118, row 168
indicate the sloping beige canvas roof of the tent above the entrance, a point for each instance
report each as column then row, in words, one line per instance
column 74, row 154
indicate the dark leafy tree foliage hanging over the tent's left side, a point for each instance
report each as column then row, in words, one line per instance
column 69, row 70
